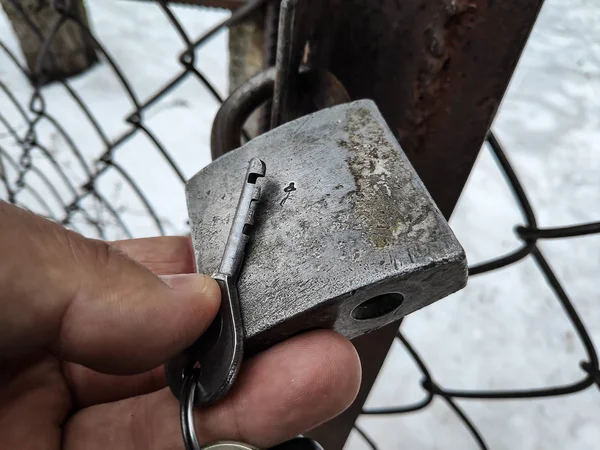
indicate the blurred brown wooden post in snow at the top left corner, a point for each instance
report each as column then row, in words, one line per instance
column 70, row 51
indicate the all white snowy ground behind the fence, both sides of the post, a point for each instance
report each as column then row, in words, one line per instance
column 505, row 329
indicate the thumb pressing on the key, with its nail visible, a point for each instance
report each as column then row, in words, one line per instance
column 88, row 303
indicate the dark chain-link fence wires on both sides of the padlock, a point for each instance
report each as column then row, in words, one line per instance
column 17, row 173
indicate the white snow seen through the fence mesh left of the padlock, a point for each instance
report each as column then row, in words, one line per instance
column 145, row 47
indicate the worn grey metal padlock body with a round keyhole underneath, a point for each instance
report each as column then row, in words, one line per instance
column 346, row 237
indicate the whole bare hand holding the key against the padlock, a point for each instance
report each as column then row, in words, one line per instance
column 85, row 327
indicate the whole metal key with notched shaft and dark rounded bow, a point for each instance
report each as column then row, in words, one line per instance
column 214, row 360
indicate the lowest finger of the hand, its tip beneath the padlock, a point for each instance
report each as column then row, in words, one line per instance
column 285, row 391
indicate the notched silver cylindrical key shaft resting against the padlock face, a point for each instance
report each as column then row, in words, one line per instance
column 233, row 256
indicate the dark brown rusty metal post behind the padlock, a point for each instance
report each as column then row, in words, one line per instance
column 438, row 71
